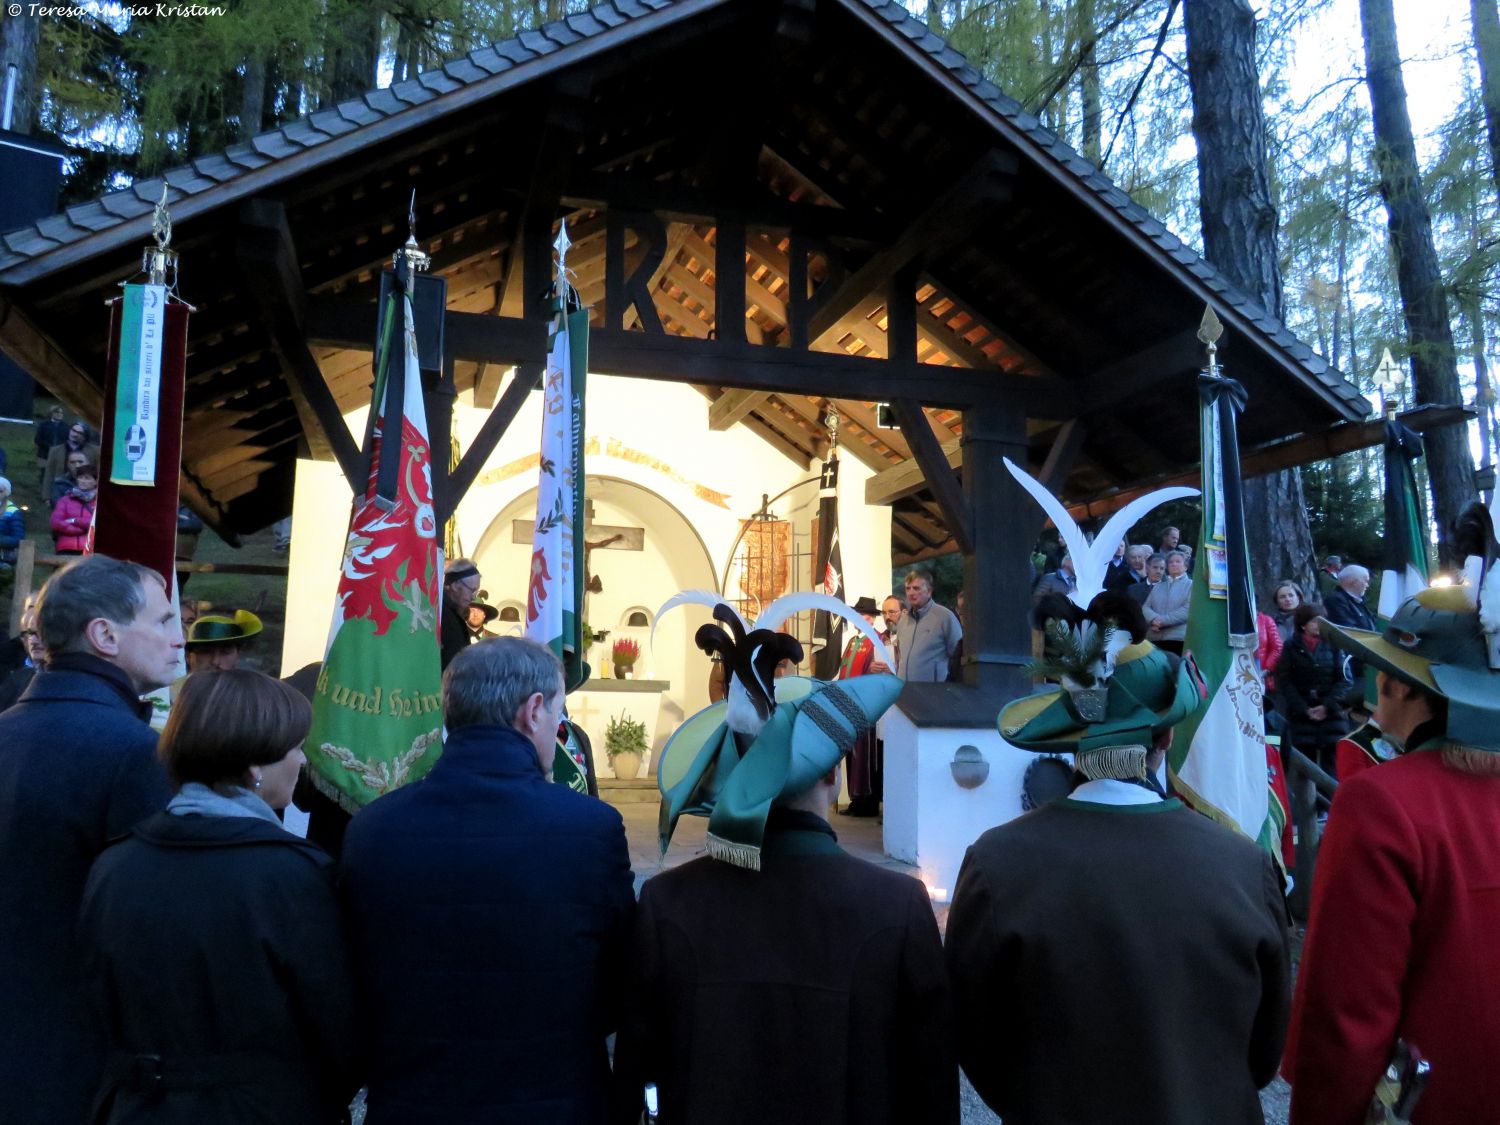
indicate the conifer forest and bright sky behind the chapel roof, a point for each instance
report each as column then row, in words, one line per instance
column 1132, row 85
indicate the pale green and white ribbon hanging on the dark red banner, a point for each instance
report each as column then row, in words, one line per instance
column 139, row 386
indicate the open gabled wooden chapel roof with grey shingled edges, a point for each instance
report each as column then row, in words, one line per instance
column 856, row 154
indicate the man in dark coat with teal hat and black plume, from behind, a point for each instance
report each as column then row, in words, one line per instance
column 806, row 991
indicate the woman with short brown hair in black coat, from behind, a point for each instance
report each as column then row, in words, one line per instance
column 214, row 950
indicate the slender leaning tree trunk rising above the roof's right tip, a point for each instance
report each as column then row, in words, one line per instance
column 1424, row 302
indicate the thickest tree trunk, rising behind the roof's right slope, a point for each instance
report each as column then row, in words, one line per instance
column 1240, row 238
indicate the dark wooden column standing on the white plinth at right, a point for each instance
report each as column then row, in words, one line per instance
column 997, row 628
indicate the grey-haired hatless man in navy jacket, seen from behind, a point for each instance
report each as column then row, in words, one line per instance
column 490, row 913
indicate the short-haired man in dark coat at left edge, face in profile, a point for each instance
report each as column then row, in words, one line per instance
column 77, row 769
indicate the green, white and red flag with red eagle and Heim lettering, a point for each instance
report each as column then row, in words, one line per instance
column 377, row 713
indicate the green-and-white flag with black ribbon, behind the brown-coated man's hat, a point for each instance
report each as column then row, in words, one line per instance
column 1219, row 761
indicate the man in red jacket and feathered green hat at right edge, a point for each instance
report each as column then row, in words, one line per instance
column 1406, row 905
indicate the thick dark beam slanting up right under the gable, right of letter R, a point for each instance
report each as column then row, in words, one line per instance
column 949, row 220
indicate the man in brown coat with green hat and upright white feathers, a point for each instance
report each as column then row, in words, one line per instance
column 1115, row 956
